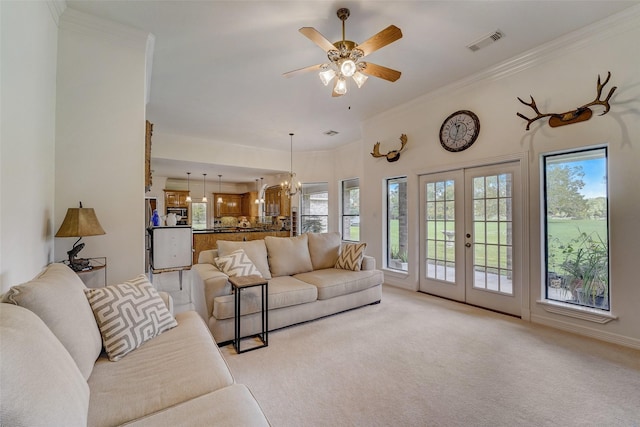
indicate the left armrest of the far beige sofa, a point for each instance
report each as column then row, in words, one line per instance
column 207, row 283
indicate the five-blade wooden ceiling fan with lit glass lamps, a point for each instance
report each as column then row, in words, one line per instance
column 346, row 57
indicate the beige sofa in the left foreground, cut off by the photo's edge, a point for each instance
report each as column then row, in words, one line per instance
column 55, row 372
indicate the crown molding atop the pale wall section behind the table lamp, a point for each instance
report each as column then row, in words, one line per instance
column 80, row 22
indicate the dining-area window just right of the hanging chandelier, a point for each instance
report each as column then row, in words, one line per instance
column 314, row 208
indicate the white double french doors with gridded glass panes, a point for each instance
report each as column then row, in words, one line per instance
column 471, row 236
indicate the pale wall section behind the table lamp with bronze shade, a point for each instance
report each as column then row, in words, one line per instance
column 100, row 134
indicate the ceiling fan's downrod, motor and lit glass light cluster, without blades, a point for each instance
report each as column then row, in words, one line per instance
column 344, row 62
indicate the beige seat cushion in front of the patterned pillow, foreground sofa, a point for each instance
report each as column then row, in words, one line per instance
column 181, row 364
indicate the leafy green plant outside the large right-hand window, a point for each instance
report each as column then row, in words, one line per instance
column 587, row 270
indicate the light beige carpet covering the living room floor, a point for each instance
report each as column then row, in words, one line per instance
column 417, row 360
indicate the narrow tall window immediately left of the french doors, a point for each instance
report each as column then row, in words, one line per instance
column 397, row 232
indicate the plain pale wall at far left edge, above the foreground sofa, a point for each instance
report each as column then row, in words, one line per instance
column 29, row 47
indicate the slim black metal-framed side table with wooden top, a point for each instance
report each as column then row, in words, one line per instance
column 238, row 284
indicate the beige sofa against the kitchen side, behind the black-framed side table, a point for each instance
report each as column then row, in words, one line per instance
column 303, row 283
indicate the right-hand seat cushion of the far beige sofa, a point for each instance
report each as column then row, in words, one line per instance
column 333, row 282
